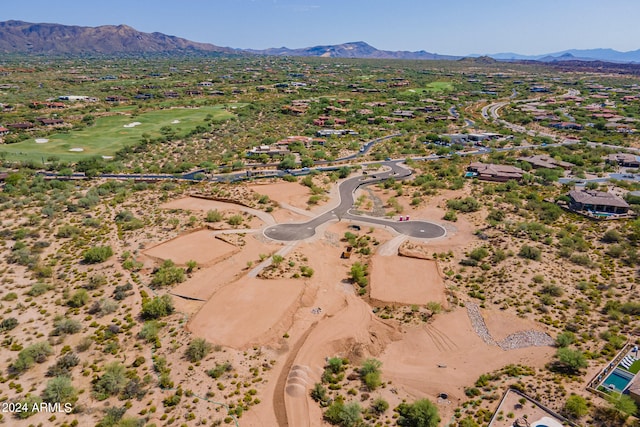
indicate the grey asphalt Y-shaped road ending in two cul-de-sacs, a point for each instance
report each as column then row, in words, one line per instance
column 300, row 231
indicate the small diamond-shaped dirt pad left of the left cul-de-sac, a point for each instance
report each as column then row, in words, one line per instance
column 200, row 246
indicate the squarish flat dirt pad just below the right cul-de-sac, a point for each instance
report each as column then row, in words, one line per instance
column 403, row 280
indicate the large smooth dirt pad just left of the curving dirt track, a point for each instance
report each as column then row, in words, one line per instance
column 248, row 312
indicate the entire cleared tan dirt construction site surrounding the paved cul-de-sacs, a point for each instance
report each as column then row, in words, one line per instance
column 239, row 302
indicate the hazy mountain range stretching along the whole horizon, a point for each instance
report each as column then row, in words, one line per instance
column 55, row 39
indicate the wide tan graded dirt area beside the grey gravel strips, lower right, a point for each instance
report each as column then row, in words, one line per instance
column 446, row 356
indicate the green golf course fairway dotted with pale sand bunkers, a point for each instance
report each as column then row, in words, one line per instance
column 109, row 134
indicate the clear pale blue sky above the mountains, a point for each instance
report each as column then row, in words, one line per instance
column 456, row 27
